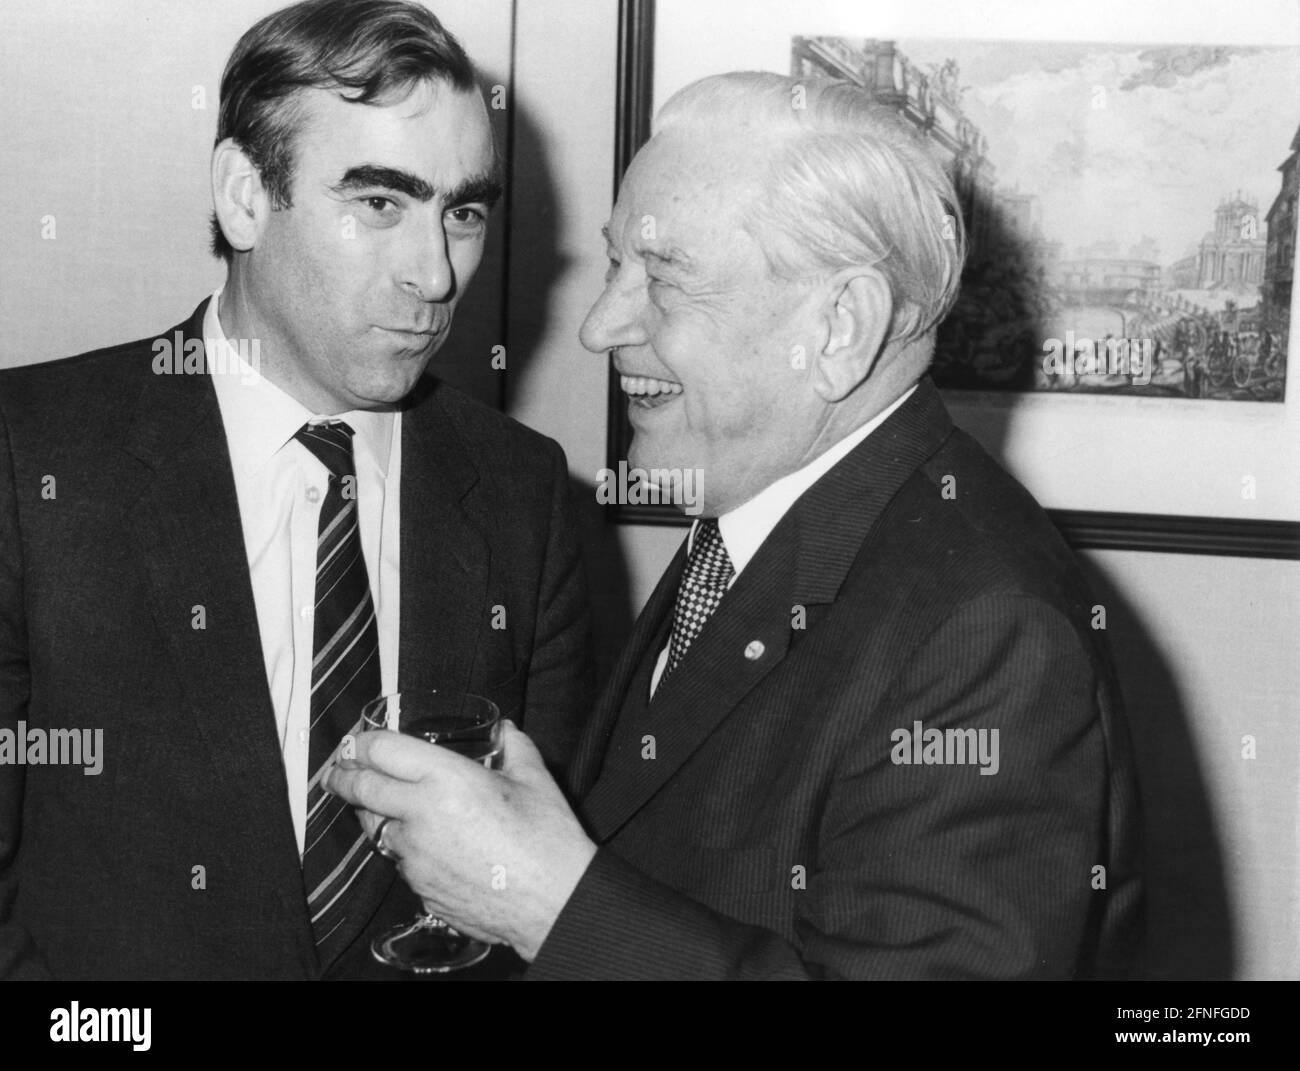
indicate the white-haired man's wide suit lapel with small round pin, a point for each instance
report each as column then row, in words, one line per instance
column 804, row 562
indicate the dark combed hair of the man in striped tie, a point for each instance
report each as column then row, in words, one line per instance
column 370, row 51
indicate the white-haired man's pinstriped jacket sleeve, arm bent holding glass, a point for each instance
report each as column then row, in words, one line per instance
column 921, row 871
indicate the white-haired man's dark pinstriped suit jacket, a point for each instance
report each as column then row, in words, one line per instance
column 769, row 834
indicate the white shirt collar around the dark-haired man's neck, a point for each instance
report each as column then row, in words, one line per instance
column 261, row 418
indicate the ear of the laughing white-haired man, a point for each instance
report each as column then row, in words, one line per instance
column 857, row 316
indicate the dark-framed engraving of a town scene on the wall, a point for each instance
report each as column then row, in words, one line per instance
column 1128, row 311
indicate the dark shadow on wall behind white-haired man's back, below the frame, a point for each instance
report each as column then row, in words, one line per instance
column 1189, row 916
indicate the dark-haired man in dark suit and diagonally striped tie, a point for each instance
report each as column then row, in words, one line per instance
column 218, row 544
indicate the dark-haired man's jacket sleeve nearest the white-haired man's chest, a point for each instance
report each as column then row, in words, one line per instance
column 561, row 678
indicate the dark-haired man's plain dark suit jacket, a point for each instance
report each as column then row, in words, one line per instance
column 98, row 592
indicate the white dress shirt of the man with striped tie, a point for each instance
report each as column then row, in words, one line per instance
column 281, row 487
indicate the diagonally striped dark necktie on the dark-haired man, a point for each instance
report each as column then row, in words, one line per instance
column 345, row 678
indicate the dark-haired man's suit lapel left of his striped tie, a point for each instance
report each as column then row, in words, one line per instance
column 189, row 541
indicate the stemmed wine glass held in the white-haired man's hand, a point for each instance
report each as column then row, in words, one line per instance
column 469, row 726
